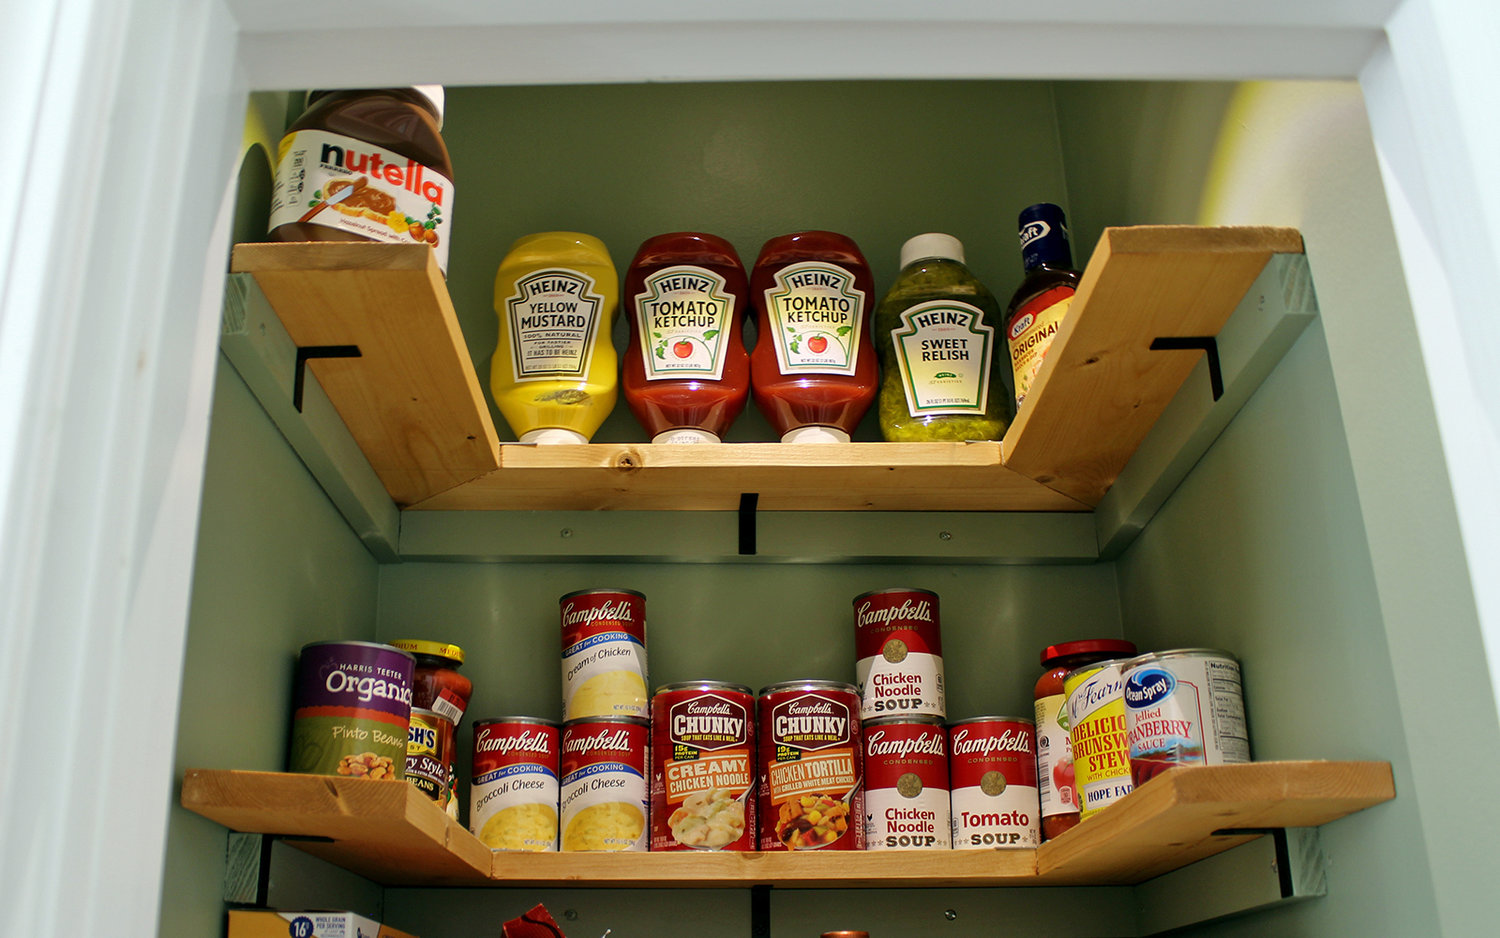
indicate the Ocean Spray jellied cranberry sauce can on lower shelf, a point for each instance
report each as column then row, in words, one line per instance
column 1184, row 708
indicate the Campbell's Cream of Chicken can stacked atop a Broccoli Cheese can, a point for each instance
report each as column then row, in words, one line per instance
column 604, row 654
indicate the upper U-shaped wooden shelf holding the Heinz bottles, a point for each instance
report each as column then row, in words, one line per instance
column 415, row 404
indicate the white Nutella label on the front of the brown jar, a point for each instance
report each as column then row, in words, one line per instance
column 341, row 182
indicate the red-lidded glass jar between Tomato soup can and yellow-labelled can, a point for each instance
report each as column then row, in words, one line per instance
column 1055, row 780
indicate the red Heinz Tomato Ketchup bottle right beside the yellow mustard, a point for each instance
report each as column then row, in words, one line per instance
column 688, row 373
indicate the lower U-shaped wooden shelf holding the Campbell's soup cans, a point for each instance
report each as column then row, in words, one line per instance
column 394, row 835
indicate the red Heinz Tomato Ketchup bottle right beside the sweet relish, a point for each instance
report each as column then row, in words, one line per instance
column 812, row 371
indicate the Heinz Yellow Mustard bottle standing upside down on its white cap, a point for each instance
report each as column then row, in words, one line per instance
column 556, row 374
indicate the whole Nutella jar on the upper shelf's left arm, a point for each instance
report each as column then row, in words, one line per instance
column 367, row 166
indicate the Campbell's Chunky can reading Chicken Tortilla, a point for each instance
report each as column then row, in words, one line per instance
column 811, row 768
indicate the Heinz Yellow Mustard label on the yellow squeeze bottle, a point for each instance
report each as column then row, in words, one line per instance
column 554, row 317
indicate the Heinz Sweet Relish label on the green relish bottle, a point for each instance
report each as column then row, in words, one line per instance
column 944, row 350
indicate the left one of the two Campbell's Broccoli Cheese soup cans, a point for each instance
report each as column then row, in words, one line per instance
column 514, row 799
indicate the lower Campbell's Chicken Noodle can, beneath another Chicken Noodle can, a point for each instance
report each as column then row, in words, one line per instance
column 907, row 784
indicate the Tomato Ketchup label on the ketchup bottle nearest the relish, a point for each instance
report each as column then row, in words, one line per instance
column 817, row 316
